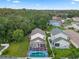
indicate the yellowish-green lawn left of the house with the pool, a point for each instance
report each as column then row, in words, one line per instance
column 17, row 49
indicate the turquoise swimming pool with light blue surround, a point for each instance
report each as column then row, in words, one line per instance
column 38, row 54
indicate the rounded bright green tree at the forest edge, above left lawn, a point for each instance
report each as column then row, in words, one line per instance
column 18, row 35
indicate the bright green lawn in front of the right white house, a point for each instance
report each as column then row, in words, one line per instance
column 66, row 52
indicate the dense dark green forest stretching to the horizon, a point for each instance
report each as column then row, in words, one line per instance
column 27, row 20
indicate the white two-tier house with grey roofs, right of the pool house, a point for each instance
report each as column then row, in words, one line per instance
column 59, row 39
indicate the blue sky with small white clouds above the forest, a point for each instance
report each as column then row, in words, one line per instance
column 40, row 4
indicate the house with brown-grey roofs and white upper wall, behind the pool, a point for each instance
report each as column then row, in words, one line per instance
column 37, row 38
